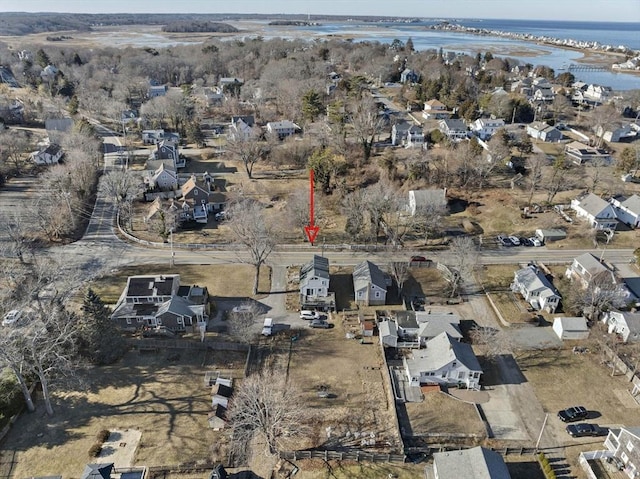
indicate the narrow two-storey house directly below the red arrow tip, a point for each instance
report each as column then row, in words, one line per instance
column 314, row 285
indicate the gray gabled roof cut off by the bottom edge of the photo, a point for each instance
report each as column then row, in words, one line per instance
column 474, row 463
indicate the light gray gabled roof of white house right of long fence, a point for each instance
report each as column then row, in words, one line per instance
column 443, row 350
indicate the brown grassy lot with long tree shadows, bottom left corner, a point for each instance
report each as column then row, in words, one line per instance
column 160, row 395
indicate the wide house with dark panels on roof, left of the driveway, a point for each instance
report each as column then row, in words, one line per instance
column 151, row 301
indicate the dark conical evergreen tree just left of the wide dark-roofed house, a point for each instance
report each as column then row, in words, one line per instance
column 99, row 339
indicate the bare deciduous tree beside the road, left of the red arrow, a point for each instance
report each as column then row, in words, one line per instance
column 252, row 230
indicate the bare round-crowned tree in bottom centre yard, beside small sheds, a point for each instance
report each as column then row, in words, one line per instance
column 266, row 408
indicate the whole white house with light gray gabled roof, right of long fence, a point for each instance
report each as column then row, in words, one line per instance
column 444, row 361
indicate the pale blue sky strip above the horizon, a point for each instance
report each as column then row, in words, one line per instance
column 577, row 10
